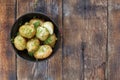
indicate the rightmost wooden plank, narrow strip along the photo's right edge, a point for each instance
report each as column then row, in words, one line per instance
column 114, row 40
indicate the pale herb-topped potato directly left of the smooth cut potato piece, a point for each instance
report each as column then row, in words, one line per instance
column 42, row 33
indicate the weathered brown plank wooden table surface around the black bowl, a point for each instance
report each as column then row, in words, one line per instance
column 90, row 45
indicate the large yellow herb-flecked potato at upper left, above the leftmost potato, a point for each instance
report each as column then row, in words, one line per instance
column 27, row 31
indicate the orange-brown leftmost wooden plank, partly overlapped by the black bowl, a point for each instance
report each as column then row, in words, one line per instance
column 7, row 55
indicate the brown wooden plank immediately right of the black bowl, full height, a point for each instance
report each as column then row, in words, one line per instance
column 73, row 26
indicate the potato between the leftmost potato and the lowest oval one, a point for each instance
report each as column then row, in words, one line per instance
column 32, row 45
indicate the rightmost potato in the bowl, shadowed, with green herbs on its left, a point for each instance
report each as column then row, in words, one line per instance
column 51, row 40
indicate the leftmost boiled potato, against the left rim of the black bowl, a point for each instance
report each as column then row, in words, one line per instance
column 20, row 42
